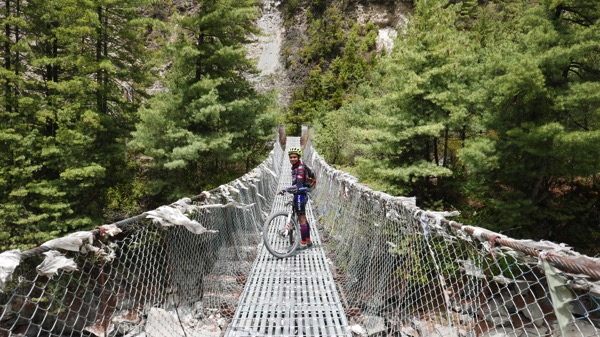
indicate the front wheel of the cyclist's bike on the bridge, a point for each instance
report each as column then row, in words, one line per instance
column 279, row 241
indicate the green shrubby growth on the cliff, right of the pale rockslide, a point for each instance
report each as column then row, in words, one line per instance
column 338, row 54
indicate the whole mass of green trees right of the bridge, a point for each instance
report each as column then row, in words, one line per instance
column 497, row 102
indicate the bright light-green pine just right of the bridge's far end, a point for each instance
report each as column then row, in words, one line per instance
column 418, row 108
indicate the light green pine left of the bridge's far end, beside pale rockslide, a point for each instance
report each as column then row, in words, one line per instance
column 211, row 117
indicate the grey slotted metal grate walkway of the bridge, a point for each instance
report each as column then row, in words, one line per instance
column 294, row 296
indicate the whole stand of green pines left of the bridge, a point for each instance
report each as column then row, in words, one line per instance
column 83, row 138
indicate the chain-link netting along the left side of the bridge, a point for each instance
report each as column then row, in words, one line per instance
column 158, row 274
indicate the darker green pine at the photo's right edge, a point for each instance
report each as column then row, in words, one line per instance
column 537, row 166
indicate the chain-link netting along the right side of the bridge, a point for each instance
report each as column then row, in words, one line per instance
column 403, row 271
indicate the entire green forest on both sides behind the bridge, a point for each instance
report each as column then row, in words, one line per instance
column 487, row 107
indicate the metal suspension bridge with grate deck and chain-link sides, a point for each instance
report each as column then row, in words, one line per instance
column 380, row 266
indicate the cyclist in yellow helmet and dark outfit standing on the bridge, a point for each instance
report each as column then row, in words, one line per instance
column 300, row 198
